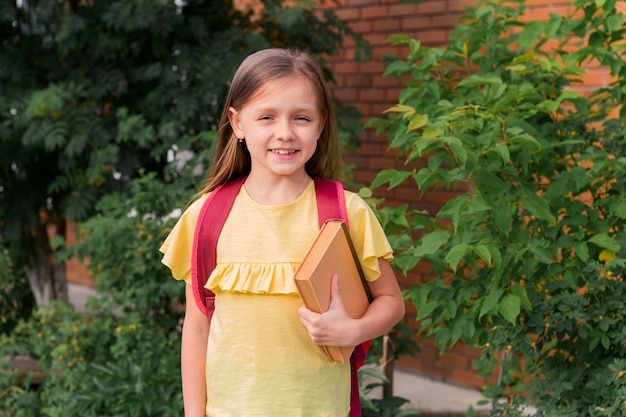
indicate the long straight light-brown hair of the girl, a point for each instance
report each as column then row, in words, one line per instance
column 232, row 159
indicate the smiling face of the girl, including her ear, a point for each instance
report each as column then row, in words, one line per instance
column 281, row 125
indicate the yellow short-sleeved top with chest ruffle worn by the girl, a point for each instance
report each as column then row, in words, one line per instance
column 260, row 359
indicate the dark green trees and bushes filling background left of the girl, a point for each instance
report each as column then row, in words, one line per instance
column 108, row 112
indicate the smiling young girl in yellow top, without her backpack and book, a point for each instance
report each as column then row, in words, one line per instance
column 262, row 352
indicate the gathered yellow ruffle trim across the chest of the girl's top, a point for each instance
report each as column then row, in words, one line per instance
column 255, row 278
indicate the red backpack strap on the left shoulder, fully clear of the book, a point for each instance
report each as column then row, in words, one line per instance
column 208, row 228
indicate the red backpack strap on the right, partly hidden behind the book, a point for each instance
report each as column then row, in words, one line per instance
column 331, row 204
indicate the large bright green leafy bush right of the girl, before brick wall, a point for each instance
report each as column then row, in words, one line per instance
column 528, row 256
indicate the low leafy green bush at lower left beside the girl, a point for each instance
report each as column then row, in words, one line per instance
column 121, row 356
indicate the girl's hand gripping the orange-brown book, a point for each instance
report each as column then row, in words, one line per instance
column 334, row 327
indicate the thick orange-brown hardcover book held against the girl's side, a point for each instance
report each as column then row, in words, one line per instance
column 333, row 253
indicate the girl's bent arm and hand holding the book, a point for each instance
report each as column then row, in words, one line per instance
column 335, row 327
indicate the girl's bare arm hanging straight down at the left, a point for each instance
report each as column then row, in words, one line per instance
column 194, row 346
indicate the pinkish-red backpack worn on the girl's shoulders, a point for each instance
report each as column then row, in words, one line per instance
column 330, row 205
